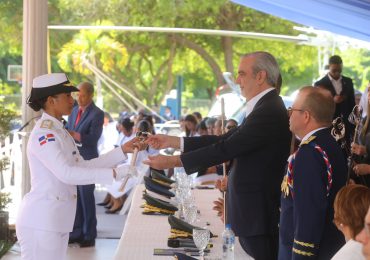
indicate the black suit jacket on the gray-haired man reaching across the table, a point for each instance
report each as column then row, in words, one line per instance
column 260, row 148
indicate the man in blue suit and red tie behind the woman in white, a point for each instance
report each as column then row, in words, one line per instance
column 85, row 124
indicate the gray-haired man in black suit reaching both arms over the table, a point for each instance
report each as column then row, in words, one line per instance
column 259, row 148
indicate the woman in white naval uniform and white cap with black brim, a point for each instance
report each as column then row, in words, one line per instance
column 47, row 212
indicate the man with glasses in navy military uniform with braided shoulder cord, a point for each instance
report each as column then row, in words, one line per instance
column 316, row 171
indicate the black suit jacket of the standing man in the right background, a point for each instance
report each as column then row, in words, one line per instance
column 344, row 108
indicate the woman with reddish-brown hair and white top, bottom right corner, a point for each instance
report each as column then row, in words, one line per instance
column 350, row 207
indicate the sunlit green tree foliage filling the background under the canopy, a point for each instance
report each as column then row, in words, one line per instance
column 147, row 63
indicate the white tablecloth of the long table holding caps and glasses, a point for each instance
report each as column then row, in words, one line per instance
column 143, row 233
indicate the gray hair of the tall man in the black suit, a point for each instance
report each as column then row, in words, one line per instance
column 265, row 61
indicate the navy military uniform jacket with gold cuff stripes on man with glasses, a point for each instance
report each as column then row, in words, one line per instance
column 307, row 216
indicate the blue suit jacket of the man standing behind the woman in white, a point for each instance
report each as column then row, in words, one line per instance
column 90, row 127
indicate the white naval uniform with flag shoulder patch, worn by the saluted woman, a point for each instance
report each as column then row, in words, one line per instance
column 48, row 211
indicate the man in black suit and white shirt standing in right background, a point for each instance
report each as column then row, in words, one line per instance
column 341, row 88
